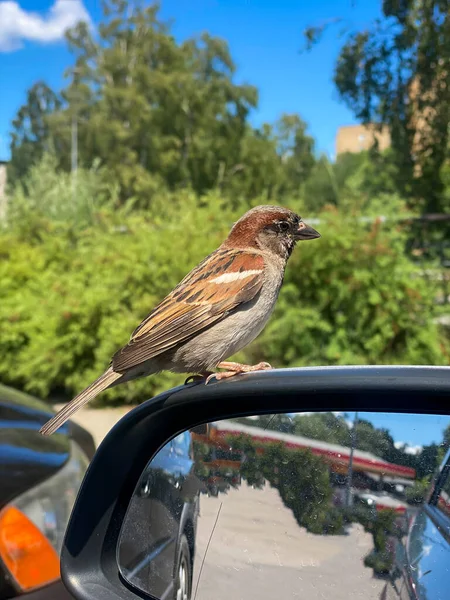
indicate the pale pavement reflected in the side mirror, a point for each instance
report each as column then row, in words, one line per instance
column 259, row 552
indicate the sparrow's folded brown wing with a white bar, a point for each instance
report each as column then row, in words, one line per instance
column 222, row 282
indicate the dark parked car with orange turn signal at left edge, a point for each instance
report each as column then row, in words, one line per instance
column 39, row 481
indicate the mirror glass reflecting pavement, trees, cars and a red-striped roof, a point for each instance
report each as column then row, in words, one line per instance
column 314, row 505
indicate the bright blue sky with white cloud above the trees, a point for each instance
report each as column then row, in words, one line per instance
column 265, row 37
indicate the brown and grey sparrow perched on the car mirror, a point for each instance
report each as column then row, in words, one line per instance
column 216, row 310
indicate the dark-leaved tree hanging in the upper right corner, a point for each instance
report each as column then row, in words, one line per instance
column 396, row 72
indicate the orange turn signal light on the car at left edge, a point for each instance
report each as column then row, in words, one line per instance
column 25, row 551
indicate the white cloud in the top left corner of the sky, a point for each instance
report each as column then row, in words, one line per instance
column 18, row 25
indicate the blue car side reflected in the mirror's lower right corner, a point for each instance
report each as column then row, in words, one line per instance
column 422, row 557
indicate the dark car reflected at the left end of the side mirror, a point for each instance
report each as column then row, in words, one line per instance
column 166, row 504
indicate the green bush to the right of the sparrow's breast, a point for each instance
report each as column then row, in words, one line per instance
column 353, row 298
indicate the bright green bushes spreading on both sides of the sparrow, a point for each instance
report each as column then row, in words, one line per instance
column 78, row 275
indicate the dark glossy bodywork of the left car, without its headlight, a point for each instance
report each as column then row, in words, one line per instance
column 26, row 460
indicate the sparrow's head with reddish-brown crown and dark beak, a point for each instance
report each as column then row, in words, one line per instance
column 270, row 228
